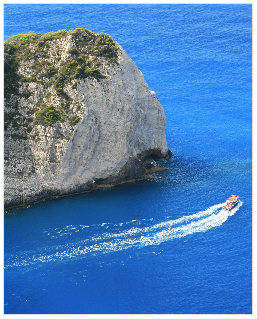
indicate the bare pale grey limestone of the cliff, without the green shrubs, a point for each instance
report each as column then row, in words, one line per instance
column 121, row 128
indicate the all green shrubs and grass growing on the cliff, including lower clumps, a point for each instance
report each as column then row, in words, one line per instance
column 84, row 60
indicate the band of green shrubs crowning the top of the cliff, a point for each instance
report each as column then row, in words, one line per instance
column 80, row 64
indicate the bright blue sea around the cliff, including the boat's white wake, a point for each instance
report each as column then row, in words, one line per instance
column 161, row 246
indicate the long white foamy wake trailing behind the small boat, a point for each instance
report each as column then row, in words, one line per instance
column 133, row 237
